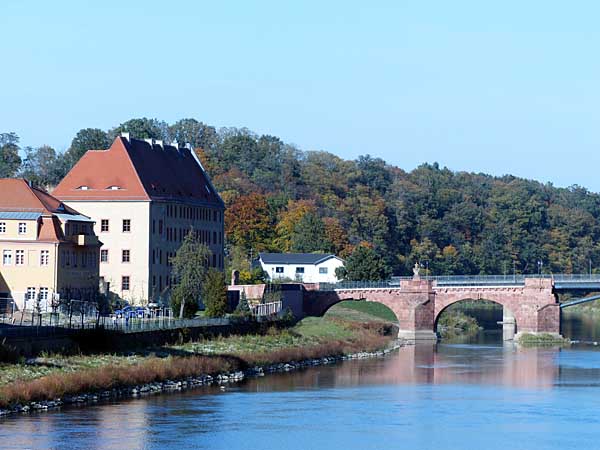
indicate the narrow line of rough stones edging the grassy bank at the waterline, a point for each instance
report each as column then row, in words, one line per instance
column 221, row 380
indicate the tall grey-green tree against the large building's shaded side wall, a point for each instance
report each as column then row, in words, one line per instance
column 190, row 270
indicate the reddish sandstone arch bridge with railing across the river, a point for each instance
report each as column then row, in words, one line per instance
column 530, row 303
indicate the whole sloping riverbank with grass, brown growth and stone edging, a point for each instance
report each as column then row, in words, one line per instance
column 52, row 381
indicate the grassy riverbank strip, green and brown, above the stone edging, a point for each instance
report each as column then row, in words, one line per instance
column 54, row 376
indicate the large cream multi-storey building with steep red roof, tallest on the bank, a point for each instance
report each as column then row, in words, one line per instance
column 144, row 196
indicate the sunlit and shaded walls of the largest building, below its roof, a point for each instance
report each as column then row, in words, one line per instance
column 141, row 238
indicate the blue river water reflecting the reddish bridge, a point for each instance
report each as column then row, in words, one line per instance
column 482, row 395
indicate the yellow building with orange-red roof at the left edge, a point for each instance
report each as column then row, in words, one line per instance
column 47, row 250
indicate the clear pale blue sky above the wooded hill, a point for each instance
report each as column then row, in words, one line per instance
column 510, row 87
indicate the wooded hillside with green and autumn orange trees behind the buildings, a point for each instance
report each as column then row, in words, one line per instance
column 281, row 198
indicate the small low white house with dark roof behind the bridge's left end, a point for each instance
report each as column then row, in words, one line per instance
column 306, row 267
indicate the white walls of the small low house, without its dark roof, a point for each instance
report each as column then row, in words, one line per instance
column 321, row 272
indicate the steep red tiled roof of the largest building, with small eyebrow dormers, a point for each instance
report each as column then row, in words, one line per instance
column 141, row 171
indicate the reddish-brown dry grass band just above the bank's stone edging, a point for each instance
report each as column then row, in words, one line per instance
column 363, row 337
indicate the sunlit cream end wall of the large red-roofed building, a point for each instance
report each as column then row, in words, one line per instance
column 115, row 240
